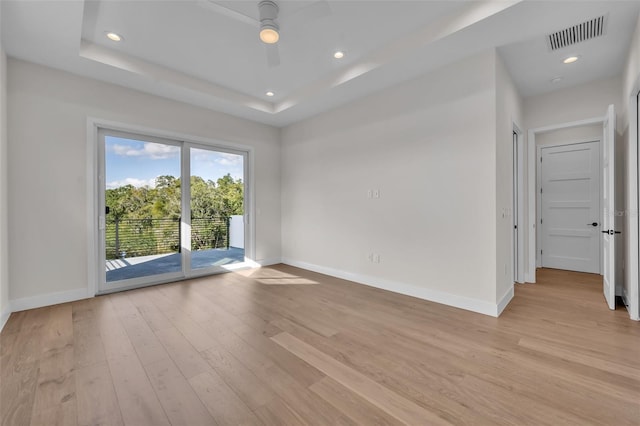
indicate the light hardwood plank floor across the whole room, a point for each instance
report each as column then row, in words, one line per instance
column 284, row 346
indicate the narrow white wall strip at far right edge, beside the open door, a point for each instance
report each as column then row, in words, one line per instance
column 629, row 131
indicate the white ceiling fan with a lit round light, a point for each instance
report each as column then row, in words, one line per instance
column 268, row 24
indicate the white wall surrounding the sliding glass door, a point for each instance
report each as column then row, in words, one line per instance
column 48, row 112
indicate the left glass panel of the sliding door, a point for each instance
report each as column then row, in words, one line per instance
column 142, row 205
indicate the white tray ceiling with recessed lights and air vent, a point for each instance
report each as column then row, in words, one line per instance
column 206, row 54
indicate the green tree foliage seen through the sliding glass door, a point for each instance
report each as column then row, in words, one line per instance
column 148, row 218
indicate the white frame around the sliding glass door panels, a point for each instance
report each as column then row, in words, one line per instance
column 95, row 205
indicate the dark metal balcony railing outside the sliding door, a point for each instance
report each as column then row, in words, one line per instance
column 143, row 237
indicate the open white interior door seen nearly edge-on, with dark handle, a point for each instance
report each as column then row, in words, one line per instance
column 609, row 216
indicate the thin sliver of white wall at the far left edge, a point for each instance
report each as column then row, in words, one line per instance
column 4, row 260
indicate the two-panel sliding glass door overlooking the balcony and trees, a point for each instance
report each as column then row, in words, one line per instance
column 171, row 210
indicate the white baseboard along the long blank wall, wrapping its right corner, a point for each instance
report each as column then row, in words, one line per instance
column 469, row 304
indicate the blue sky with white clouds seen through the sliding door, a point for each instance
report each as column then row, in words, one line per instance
column 139, row 163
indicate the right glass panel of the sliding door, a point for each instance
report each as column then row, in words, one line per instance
column 217, row 208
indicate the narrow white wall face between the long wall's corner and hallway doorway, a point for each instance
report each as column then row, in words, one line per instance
column 508, row 113
